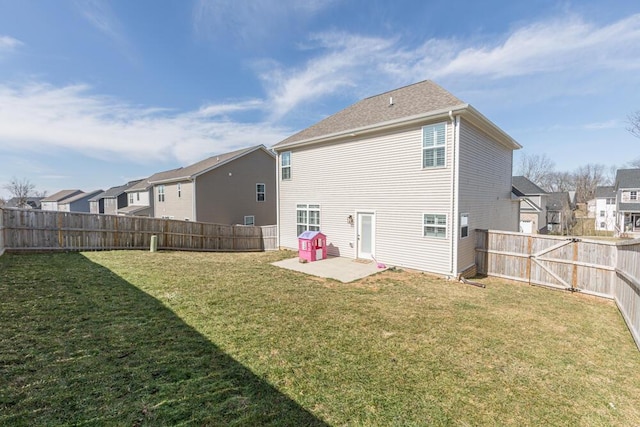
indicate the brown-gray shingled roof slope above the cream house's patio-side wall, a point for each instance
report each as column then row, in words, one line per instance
column 412, row 100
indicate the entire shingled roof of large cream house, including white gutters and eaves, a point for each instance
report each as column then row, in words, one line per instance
column 394, row 108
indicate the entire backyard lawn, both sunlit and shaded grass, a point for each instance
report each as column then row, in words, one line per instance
column 134, row 338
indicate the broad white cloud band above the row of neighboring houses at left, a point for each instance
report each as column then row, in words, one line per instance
column 40, row 117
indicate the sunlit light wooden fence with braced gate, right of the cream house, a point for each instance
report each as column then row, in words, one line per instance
column 601, row 268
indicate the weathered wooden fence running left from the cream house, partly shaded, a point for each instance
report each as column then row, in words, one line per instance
column 30, row 230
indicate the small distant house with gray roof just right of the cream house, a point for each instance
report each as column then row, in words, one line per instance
column 533, row 202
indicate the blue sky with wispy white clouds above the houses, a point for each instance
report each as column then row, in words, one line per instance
column 95, row 93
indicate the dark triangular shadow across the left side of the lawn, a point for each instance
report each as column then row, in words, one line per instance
column 78, row 345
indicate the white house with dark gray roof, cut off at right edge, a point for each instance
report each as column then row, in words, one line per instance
column 627, row 189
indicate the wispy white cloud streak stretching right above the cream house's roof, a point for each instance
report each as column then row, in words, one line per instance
column 567, row 48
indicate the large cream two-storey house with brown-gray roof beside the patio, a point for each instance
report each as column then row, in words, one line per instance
column 406, row 176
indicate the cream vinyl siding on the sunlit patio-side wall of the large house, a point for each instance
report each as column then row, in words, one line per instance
column 381, row 174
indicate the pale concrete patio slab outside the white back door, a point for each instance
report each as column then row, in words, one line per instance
column 343, row 269
